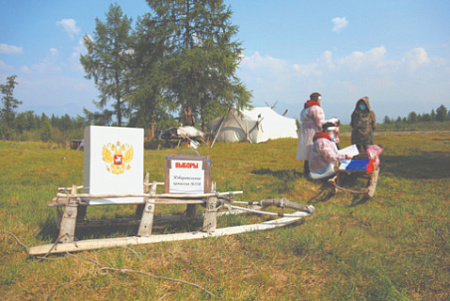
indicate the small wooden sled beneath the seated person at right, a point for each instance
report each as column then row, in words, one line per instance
column 369, row 191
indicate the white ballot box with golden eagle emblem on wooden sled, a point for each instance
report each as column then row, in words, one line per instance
column 113, row 163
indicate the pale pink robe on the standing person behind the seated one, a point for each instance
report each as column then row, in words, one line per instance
column 311, row 119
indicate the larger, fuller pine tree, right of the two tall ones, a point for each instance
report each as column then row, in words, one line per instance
column 201, row 57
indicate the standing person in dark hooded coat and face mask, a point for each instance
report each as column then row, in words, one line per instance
column 363, row 124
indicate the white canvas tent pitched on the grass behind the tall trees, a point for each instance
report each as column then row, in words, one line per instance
column 256, row 125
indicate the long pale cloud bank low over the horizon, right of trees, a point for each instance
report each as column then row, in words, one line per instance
column 394, row 85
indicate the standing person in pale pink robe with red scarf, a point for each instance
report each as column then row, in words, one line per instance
column 312, row 118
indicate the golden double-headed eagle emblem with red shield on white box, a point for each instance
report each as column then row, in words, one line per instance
column 117, row 157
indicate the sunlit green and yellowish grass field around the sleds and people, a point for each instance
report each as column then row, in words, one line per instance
column 395, row 246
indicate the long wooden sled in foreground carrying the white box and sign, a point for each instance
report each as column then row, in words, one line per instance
column 74, row 208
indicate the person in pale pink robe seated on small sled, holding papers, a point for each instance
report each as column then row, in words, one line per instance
column 324, row 153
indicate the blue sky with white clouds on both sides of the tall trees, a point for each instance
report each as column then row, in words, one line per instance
column 395, row 52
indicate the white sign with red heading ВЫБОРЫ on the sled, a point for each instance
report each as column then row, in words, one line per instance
column 186, row 177
